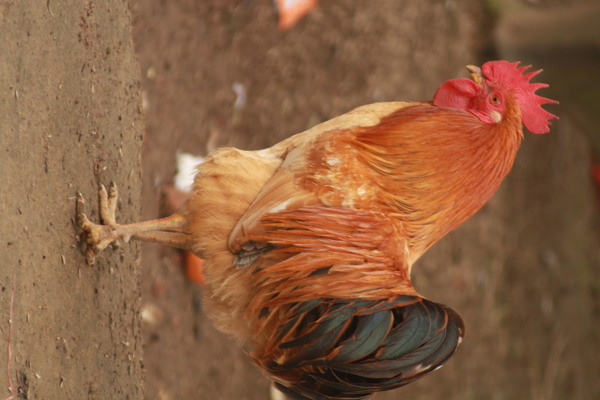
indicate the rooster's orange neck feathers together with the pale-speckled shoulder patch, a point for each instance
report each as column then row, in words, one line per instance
column 405, row 167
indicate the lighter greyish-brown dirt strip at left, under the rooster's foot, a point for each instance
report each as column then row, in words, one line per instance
column 69, row 119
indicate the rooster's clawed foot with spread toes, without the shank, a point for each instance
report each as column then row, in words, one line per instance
column 99, row 236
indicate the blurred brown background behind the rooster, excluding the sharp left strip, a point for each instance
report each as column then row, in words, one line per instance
column 523, row 274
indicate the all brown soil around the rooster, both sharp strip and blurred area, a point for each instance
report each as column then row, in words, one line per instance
column 95, row 92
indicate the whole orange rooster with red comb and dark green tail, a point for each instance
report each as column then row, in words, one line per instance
column 308, row 245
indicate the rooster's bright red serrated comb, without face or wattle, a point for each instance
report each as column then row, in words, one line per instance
column 510, row 76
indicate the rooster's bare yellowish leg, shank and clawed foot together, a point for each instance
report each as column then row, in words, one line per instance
column 170, row 231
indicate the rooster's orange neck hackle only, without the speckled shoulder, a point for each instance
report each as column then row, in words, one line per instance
column 438, row 169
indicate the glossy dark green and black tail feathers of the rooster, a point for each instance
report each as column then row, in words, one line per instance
column 348, row 349
